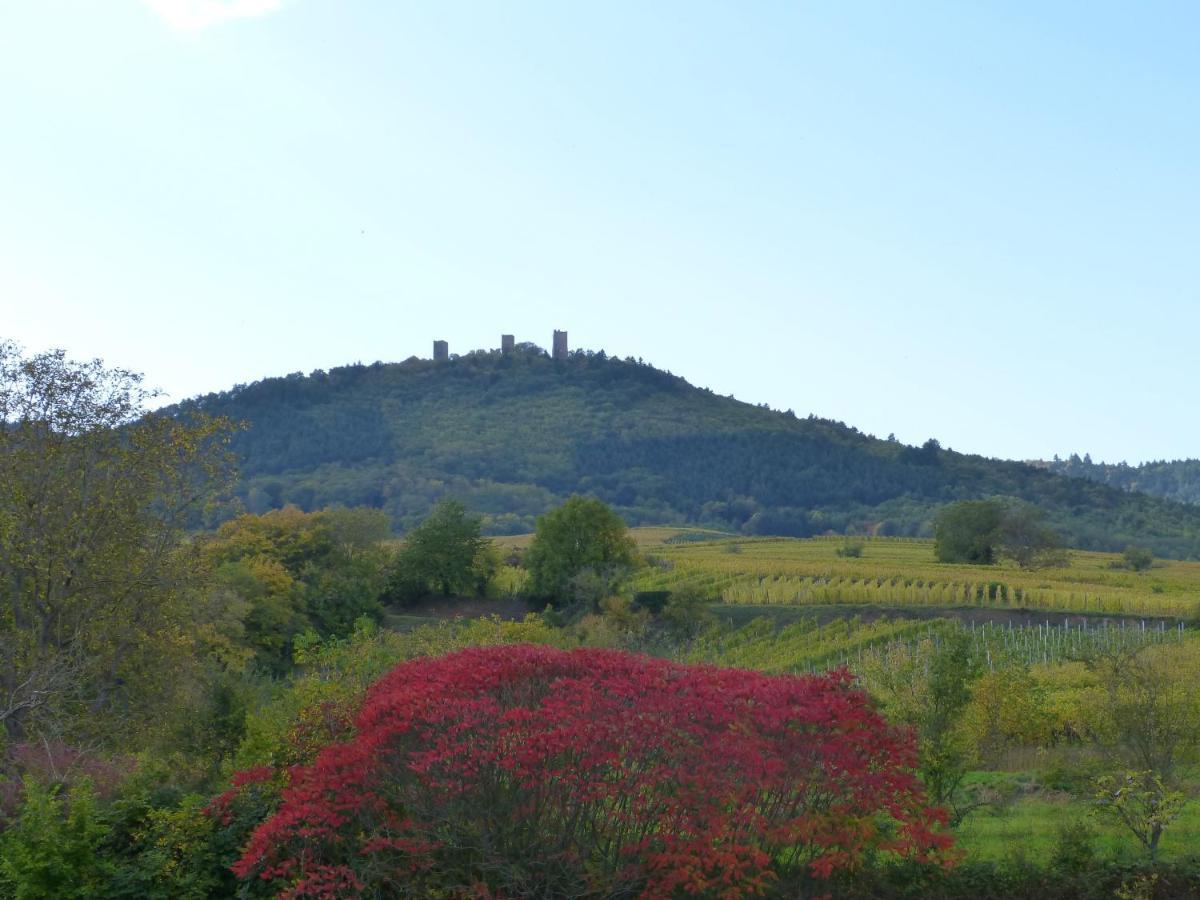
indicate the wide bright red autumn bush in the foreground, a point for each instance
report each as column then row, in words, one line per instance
column 527, row 771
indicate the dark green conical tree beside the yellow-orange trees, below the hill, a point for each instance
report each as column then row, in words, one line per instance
column 445, row 555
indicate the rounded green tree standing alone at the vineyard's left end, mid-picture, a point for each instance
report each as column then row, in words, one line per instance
column 578, row 543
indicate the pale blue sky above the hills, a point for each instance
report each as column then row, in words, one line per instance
column 979, row 223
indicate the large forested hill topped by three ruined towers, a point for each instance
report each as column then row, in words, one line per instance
column 514, row 435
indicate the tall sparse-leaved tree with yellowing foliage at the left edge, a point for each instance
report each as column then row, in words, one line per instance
column 95, row 586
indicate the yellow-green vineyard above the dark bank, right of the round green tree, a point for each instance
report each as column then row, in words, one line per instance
column 902, row 573
